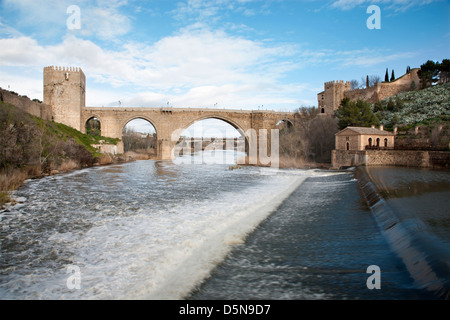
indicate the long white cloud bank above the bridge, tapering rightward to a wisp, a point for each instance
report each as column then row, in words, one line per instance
column 196, row 67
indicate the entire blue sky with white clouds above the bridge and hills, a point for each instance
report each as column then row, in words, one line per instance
column 228, row 54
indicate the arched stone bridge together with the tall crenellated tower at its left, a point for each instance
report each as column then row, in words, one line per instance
column 65, row 93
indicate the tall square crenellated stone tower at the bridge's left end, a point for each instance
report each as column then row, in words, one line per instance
column 65, row 92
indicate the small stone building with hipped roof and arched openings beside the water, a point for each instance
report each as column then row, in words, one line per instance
column 360, row 138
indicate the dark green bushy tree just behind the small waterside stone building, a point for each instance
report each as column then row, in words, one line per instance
column 359, row 114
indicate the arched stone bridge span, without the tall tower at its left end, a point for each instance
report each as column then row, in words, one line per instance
column 169, row 123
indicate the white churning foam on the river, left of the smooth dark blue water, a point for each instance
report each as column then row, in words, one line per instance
column 138, row 251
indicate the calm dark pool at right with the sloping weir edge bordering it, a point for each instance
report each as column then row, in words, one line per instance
column 414, row 239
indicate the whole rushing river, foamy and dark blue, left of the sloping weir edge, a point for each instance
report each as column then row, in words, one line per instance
column 165, row 230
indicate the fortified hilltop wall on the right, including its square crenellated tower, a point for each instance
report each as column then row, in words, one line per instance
column 334, row 91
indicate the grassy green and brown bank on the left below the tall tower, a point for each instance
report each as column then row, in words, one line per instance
column 31, row 147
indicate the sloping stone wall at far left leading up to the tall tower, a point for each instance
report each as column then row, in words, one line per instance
column 34, row 108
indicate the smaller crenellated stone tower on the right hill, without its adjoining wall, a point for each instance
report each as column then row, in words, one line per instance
column 330, row 99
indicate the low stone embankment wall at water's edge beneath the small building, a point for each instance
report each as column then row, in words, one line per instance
column 405, row 158
